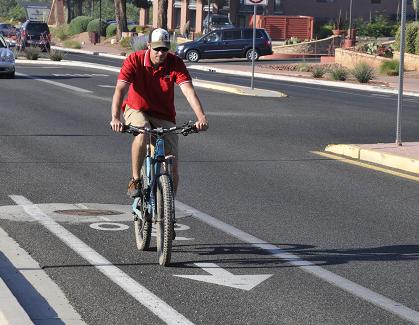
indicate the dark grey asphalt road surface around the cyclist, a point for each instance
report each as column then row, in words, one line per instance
column 348, row 229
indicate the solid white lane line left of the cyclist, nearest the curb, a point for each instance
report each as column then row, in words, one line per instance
column 161, row 309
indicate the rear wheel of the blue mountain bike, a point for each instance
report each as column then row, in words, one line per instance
column 142, row 229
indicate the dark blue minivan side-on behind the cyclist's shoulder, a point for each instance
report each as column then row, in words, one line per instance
column 227, row 43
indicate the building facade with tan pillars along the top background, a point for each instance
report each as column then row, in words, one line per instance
column 180, row 11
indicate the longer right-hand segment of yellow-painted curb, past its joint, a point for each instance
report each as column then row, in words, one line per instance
column 390, row 160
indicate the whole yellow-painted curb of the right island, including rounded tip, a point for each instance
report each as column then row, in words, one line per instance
column 375, row 156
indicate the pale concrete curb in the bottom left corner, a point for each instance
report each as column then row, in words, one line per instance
column 11, row 312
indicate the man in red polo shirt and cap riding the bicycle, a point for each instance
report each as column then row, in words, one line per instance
column 148, row 77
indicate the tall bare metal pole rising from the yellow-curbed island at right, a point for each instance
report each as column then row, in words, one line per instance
column 401, row 74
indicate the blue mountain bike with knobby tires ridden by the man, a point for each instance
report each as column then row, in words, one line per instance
column 156, row 201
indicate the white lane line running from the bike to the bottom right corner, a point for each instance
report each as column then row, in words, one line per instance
column 334, row 279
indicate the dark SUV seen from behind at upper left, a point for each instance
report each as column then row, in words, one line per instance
column 34, row 33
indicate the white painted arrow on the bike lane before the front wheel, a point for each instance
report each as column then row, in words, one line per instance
column 224, row 278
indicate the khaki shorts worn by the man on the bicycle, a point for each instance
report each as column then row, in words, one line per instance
column 138, row 118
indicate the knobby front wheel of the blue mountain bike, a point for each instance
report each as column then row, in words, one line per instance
column 165, row 206
